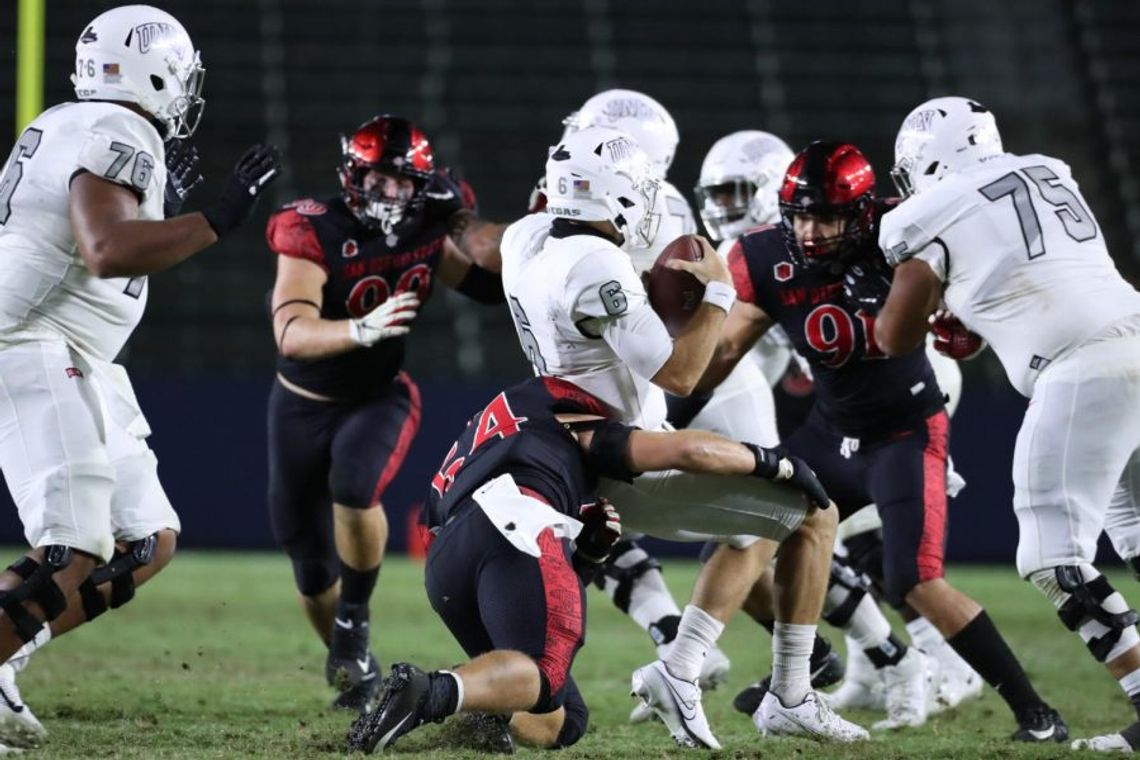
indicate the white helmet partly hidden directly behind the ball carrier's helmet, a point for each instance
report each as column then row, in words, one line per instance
column 640, row 117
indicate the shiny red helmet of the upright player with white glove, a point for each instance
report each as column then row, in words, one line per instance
column 394, row 146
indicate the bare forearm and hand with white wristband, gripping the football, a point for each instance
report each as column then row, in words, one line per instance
column 694, row 348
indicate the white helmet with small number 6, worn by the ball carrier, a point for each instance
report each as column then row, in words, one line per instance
column 602, row 175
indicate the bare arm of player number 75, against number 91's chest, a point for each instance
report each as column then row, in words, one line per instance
column 902, row 325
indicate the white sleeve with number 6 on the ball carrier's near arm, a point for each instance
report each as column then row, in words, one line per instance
column 608, row 301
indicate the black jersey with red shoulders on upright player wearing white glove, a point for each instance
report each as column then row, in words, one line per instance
column 365, row 267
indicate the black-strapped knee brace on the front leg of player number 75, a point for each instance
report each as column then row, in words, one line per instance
column 1089, row 606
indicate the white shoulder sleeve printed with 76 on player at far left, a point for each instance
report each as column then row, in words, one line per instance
column 127, row 151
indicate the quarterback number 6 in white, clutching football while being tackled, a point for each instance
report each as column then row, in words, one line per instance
column 582, row 315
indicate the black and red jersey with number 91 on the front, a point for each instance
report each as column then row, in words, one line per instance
column 860, row 391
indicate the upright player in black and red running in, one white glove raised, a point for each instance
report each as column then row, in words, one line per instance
column 353, row 271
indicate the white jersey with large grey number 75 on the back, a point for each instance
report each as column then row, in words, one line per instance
column 1022, row 258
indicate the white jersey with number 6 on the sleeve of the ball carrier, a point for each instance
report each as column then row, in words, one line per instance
column 583, row 315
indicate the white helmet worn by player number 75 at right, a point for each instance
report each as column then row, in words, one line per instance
column 942, row 136
